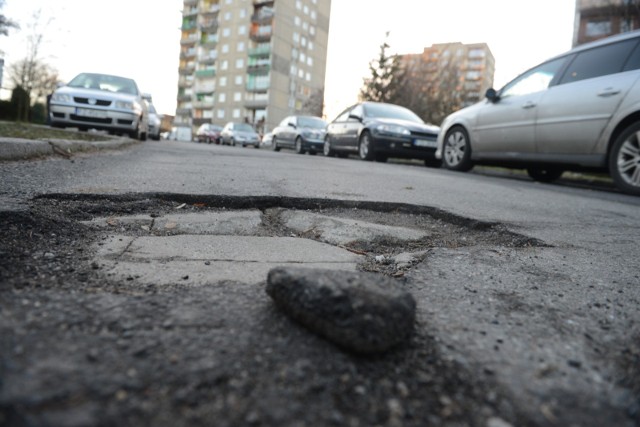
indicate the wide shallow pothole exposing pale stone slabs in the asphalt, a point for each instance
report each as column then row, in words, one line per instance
column 204, row 240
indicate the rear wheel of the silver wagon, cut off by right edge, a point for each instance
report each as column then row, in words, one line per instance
column 624, row 160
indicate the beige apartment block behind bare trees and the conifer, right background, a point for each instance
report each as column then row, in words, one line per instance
column 447, row 70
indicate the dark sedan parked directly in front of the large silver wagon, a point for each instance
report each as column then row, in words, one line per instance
column 377, row 131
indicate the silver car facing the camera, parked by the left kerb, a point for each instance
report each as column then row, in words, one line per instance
column 103, row 102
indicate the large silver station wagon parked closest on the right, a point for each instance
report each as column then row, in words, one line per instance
column 576, row 111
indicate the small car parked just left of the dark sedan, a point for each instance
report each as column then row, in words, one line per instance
column 302, row 133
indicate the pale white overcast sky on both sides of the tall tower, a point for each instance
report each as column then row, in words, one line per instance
column 141, row 38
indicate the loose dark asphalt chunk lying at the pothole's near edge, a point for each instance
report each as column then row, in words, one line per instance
column 361, row 312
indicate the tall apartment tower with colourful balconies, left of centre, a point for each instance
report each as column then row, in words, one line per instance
column 255, row 61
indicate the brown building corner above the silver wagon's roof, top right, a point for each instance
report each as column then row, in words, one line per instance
column 596, row 19
